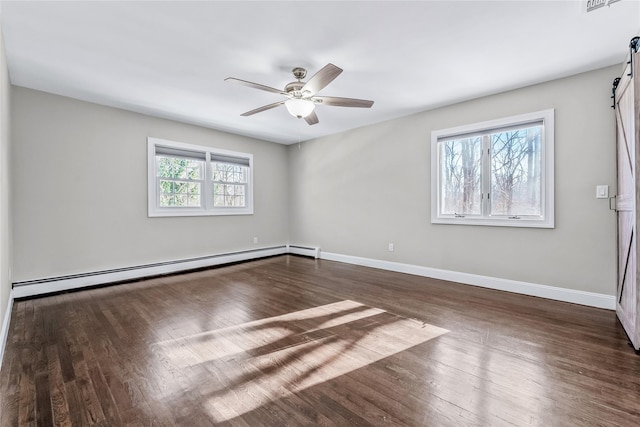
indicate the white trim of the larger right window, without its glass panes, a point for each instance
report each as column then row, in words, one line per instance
column 547, row 170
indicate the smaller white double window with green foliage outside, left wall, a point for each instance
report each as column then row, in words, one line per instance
column 191, row 180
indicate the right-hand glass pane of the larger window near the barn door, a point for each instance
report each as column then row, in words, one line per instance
column 515, row 172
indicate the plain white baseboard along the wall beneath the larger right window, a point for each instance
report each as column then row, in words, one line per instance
column 532, row 289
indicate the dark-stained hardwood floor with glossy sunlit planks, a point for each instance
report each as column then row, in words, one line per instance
column 296, row 341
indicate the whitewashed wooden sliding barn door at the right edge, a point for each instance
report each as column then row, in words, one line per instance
column 626, row 304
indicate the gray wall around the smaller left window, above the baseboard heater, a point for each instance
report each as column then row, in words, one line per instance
column 80, row 190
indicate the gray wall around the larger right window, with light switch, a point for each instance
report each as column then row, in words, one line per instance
column 355, row 192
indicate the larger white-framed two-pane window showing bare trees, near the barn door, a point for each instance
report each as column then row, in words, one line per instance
column 496, row 173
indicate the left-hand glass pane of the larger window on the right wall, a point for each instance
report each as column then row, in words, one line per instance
column 460, row 172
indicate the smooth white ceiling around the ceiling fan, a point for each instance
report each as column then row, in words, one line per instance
column 170, row 58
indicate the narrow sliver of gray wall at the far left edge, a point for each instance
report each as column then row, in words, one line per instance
column 5, row 188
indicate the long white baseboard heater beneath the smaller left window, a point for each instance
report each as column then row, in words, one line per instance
column 58, row 284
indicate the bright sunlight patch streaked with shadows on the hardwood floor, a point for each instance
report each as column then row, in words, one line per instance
column 258, row 362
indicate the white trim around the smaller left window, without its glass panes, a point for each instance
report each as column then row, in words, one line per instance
column 207, row 208
